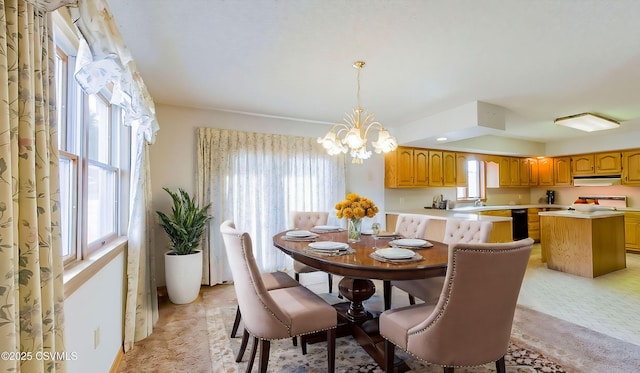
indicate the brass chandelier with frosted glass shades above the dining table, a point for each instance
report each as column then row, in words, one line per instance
column 352, row 134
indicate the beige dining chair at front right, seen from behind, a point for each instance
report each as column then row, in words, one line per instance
column 471, row 322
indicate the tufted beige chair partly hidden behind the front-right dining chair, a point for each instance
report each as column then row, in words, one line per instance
column 456, row 231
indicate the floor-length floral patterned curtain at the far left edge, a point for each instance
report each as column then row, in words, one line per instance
column 31, row 284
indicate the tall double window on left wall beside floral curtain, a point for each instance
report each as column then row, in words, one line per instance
column 94, row 149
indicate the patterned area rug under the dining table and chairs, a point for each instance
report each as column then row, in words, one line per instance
column 350, row 357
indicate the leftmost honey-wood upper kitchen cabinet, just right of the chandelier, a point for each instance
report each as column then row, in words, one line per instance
column 406, row 168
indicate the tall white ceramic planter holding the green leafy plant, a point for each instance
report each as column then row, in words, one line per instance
column 183, row 274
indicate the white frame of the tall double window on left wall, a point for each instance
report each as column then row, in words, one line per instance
column 73, row 148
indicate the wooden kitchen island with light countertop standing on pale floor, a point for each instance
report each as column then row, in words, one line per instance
column 587, row 244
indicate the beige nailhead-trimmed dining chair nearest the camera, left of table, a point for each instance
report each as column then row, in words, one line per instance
column 274, row 314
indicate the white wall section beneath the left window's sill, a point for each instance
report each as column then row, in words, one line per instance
column 97, row 304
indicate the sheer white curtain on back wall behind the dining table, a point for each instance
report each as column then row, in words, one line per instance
column 255, row 179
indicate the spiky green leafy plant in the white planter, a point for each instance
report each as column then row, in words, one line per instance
column 186, row 224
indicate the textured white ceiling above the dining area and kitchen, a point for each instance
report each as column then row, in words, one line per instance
column 535, row 60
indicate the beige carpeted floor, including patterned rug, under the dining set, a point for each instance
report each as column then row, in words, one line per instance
column 195, row 338
